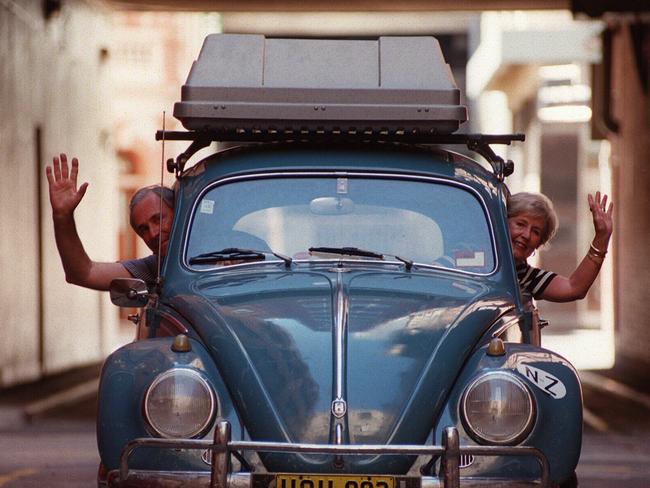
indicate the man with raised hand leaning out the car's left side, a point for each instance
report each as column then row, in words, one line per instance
column 146, row 219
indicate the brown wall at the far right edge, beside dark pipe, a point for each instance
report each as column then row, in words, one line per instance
column 631, row 162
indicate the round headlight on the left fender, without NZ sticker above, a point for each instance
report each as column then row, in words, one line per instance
column 179, row 403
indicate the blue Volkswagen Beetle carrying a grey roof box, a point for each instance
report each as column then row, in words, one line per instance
column 338, row 307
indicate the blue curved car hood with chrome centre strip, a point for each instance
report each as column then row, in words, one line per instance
column 403, row 340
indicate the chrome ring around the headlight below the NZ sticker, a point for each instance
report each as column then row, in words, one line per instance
column 513, row 439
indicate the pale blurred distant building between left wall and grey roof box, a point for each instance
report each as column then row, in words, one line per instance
column 151, row 56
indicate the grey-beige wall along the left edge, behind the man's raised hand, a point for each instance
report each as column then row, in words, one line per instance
column 52, row 94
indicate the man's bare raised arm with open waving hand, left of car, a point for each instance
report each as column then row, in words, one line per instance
column 64, row 198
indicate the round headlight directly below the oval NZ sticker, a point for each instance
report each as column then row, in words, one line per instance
column 497, row 408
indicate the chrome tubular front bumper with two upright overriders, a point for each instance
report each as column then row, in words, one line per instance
column 222, row 447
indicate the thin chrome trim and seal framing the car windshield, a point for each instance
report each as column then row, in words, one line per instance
column 335, row 174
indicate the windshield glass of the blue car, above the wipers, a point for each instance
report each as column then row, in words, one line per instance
column 429, row 222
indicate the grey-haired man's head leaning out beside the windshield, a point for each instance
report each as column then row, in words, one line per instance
column 146, row 218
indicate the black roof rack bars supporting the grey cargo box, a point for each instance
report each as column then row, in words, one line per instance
column 479, row 143
